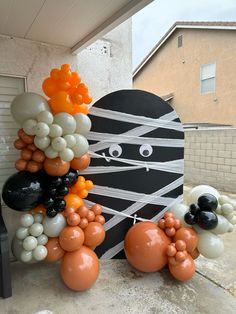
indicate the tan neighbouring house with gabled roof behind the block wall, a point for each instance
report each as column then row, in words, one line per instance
column 194, row 67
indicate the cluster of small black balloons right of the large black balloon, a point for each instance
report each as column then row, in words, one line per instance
column 57, row 188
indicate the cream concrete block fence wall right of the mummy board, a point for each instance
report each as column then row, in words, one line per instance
column 210, row 158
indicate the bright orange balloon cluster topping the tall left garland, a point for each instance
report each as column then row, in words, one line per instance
column 66, row 91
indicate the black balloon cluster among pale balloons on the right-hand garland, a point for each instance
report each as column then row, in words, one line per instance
column 203, row 213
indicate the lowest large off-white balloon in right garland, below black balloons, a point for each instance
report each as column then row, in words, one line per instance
column 210, row 245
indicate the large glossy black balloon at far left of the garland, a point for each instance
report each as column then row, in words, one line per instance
column 24, row 190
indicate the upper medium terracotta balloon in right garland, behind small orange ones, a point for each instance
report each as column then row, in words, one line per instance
column 189, row 236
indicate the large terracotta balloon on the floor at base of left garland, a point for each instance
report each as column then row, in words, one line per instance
column 79, row 270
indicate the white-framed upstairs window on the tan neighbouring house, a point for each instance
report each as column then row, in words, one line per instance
column 207, row 76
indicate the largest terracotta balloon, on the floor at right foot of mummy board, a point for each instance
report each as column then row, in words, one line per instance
column 145, row 247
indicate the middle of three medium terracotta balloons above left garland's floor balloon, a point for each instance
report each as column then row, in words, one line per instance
column 71, row 238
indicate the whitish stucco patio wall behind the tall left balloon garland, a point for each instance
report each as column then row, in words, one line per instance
column 105, row 66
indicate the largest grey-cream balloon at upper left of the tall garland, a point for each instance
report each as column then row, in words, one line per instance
column 27, row 106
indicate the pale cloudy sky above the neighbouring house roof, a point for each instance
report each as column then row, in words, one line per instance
column 151, row 23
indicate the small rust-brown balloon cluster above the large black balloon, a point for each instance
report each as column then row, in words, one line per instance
column 32, row 158
